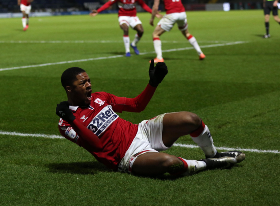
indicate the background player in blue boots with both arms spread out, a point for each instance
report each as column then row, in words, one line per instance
column 127, row 17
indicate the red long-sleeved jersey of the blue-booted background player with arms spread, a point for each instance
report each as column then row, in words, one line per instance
column 126, row 7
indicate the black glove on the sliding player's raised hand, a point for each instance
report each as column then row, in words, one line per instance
column 157, row 73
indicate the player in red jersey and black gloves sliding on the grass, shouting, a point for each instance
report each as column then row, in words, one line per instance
column 91, row 121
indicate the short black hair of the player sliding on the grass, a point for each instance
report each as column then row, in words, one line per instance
column 69, row 76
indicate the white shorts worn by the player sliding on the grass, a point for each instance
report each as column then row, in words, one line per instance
column 147, row 139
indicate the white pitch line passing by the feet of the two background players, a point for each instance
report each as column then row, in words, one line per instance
column 117, row 56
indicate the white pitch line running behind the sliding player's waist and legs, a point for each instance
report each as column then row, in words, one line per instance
column 176, row 144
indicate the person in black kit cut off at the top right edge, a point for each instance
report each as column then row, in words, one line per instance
column 268, row 6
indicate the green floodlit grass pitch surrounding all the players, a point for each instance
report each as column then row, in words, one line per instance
column 235, row 90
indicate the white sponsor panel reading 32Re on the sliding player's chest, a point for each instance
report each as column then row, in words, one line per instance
column 102, row 120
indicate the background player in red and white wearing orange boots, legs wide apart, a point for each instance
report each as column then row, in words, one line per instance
column 175, row 13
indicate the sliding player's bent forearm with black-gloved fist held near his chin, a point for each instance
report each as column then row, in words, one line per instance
column 63, row 111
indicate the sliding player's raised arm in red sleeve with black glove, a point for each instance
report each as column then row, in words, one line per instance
column 140, row 102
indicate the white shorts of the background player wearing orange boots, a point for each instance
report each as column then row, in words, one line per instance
column 167, row 22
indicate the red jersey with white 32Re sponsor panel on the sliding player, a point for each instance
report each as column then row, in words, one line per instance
column 116, row 134
